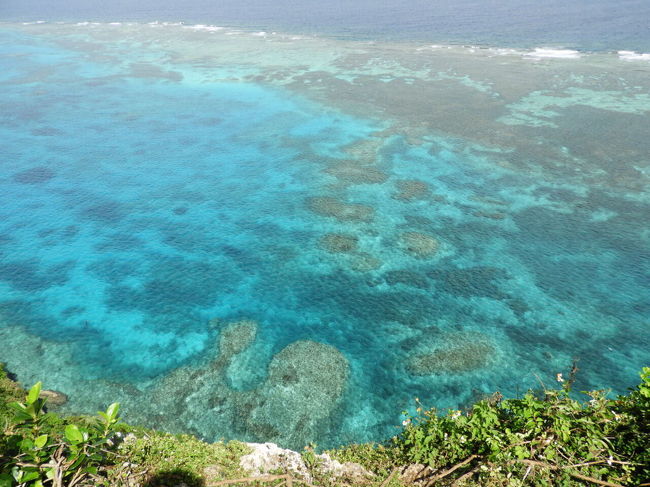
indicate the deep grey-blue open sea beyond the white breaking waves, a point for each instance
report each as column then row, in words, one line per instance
column 581, row 24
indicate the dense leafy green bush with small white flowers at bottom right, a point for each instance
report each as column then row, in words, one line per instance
column 551, row 440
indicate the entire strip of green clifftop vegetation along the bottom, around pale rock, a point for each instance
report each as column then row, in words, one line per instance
column 544, row 438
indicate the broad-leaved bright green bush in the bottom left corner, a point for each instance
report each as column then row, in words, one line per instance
column 38, row 448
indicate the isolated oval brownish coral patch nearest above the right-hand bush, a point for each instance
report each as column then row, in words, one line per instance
column 456, row 354
